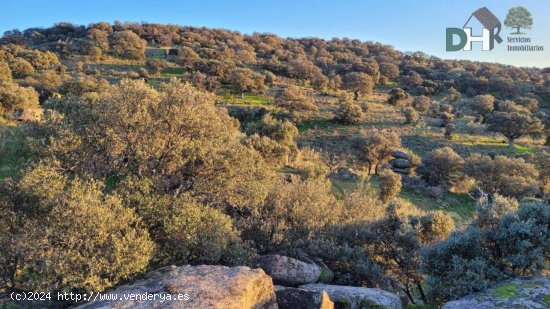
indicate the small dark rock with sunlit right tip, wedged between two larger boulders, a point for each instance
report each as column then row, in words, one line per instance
column 293, row 298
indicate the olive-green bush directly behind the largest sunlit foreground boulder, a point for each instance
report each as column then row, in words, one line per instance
column 185, row 231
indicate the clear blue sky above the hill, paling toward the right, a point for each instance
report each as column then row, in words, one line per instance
column 411, row 25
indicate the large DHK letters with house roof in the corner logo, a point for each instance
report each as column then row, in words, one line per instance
column 490, row 32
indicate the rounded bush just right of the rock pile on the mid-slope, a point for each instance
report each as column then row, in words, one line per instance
column 442, row 166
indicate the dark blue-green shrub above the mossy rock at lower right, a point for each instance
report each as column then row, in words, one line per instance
column 471, row 260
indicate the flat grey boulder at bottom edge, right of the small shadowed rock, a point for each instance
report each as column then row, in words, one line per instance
column 357, row 297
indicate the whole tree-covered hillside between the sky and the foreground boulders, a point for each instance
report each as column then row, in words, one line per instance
column 206, row 146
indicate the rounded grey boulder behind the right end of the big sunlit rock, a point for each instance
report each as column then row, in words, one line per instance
column 288, row 271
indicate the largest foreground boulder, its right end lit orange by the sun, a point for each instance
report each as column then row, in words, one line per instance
column 200, row 287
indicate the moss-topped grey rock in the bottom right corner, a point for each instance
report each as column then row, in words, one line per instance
column 517, row 293
